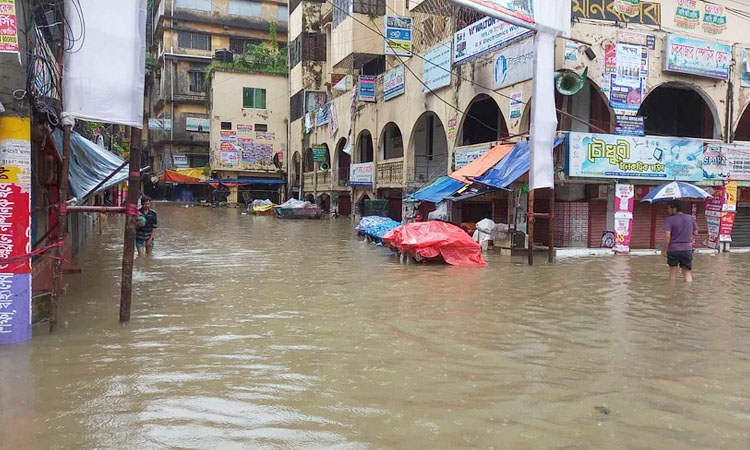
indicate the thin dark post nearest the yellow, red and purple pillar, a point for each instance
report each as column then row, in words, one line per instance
column 62, row 229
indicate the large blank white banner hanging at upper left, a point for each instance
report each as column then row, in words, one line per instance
column 103, row 74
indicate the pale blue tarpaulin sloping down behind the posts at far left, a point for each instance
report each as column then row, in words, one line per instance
column 90, row 164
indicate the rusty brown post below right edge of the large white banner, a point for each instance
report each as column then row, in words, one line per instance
column 131, row 215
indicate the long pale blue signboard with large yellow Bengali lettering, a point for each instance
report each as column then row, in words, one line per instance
column 633, row 157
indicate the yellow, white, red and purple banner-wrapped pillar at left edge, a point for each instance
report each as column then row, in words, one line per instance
column 15, row 229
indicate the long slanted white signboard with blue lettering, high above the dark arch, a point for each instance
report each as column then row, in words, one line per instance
column 482, row 36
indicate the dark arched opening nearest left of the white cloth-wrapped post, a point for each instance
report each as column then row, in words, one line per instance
column 482, row 122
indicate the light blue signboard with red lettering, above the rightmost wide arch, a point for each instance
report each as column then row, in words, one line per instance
column 695, row 57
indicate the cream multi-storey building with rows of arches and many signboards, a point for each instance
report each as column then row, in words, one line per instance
column 673, row 70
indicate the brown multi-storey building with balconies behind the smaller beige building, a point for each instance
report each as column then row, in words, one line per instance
column 185, row 36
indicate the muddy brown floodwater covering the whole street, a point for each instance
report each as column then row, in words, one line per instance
column 253, row 332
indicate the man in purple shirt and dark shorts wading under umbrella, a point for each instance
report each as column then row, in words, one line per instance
column 679, row 230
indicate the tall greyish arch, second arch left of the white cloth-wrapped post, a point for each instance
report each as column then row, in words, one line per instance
column 429, row 147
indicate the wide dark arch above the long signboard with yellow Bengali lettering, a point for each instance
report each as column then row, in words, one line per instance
column 680, row 109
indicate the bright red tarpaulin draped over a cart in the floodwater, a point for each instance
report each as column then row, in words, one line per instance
column 435, row 238
